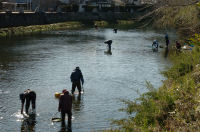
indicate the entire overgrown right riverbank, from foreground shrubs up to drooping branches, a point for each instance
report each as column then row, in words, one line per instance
column 175, row 106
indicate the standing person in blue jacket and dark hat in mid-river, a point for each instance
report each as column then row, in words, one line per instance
column 76, row 79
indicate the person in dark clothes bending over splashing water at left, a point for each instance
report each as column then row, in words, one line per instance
column 30, row 97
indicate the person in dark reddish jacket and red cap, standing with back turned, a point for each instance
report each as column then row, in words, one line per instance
column 65, row 107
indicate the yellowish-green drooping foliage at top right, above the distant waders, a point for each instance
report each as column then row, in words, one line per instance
column 185, row 19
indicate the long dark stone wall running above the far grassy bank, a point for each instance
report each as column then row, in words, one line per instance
column 26, row 19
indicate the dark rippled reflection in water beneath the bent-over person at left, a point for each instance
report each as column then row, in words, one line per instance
column 28, row 124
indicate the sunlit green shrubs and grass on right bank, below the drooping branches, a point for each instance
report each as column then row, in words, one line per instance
column 175, row 106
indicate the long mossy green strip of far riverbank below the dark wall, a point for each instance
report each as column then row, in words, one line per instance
column 37, row 29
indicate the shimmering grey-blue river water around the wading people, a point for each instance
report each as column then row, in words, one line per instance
column 43, row 63
